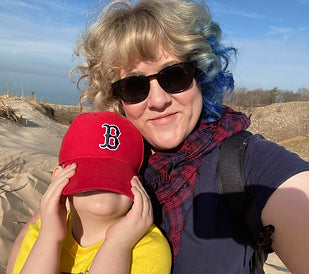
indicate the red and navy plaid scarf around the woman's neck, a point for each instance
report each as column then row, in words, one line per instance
column 172, row 175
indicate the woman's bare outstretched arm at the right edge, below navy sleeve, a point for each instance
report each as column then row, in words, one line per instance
column 288, row 211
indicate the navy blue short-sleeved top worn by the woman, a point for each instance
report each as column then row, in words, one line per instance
column 212, row 241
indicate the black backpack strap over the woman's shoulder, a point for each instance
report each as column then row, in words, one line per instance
column 231, row 180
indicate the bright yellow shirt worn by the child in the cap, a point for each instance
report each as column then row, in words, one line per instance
column 150, row 255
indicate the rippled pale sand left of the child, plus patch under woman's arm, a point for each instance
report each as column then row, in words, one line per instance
column 28, row 154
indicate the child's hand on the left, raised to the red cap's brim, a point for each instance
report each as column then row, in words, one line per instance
column 53, row 205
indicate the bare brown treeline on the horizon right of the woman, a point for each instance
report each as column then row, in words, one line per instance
column 245, row 98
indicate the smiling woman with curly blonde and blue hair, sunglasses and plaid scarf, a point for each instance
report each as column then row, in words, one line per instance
column 163, row 66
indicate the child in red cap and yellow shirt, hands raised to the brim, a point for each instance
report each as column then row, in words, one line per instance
column 100, row 155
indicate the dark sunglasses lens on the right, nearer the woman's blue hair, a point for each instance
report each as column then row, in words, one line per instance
column 177, row 78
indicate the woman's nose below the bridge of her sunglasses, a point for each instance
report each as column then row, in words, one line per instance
column 158, row 98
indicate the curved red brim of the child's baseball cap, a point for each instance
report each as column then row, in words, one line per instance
column 100, row 174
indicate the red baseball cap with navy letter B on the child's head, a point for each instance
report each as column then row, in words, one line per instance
column 107, row 149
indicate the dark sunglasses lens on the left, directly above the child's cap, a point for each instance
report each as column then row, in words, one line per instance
column 132, row 89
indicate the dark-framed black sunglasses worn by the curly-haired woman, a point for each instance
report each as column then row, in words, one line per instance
column 173, row 79
